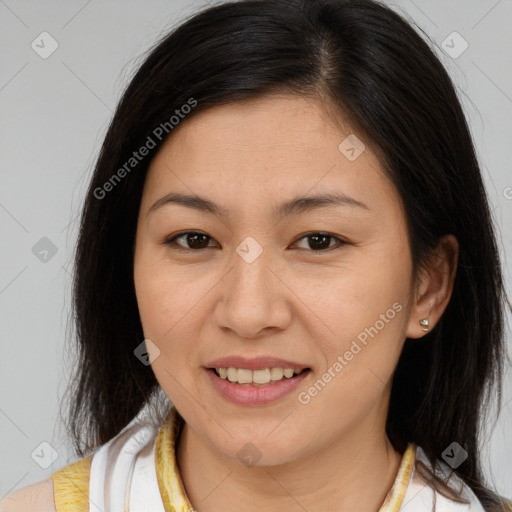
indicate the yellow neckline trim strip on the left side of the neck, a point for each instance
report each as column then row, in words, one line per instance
column 168, row 475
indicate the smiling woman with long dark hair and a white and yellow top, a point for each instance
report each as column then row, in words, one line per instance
column 288, row 238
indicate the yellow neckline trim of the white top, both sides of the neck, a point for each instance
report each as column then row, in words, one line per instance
column 172, row 488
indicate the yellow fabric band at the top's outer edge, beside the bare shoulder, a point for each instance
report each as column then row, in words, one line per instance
column 71, row 486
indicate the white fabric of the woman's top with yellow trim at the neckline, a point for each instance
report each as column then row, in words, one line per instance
column 123, row 478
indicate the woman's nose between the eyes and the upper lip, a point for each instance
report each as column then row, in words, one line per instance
column 254, row 301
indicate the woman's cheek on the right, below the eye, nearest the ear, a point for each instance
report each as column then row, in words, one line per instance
column 366, row 309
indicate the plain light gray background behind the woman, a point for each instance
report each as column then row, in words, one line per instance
column 54, row 113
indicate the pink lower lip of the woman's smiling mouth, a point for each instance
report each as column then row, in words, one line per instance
column 255, row 395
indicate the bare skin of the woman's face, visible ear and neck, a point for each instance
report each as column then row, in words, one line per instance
column 291, row 302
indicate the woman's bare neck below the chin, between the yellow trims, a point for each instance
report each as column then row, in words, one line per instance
column 355, row 473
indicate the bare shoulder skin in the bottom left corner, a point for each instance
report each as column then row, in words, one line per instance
column 37, row 497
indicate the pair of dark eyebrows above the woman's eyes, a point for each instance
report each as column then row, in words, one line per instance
column 293, row 207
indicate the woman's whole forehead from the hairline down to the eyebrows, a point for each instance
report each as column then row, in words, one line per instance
column 273, row 146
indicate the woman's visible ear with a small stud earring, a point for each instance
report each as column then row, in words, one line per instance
column 434, row 285
